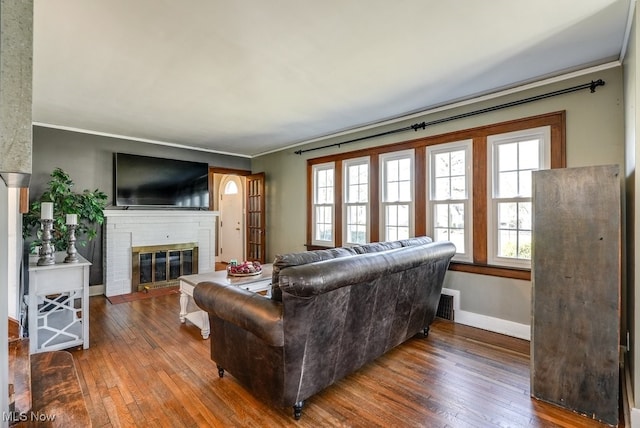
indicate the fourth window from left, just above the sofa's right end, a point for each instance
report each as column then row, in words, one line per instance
column 449, row 196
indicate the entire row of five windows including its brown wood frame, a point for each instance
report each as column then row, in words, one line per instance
column 471, row 187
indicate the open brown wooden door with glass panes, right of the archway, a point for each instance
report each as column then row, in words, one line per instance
column 255, row 220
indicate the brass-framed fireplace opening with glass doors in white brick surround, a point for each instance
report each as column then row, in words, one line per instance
column 159, row 266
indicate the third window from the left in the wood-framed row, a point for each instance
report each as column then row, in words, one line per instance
column 397, row 195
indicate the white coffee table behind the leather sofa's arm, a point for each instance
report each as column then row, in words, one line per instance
column 200, row 318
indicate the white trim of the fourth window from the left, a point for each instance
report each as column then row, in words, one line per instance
column 467, row 146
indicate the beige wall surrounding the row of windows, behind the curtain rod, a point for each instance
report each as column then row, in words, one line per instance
column 595, row 136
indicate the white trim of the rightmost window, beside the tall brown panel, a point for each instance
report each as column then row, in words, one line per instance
column 543, row 133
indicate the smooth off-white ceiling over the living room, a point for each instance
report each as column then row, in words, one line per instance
column 251, row 76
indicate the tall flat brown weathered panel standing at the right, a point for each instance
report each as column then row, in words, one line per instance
column 576, row 275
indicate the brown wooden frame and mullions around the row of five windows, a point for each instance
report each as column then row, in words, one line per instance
column 556, row 120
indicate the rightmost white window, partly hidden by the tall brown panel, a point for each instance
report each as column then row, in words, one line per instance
column 512, row 158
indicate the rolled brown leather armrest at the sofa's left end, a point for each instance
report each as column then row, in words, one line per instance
column 245, row 309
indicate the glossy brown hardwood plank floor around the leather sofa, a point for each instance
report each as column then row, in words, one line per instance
column 145, row 368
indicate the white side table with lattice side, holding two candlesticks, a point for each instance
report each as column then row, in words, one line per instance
column 58, row 304
